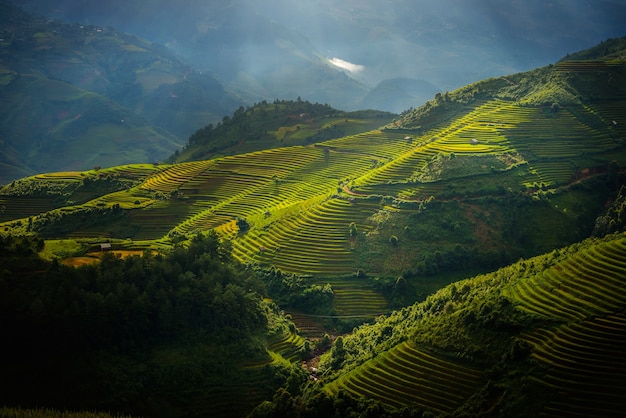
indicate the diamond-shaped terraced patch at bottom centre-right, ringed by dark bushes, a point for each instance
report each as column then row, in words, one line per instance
column 406, row 376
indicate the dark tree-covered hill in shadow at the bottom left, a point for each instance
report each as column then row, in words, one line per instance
column 90, row 337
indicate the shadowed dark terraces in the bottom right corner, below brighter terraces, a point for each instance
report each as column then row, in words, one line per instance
column 585, row 366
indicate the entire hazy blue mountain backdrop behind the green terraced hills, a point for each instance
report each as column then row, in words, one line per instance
column 92, row 83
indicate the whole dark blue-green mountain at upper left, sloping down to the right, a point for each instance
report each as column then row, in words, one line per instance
column 78, row 96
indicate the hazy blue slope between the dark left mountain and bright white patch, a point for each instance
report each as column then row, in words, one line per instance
column 256, row 56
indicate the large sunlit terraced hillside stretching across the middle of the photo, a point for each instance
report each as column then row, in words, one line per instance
column 473, row 180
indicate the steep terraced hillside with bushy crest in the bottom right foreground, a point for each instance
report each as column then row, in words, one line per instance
column 542, row 337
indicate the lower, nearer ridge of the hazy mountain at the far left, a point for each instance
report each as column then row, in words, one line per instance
column 77, row 130
